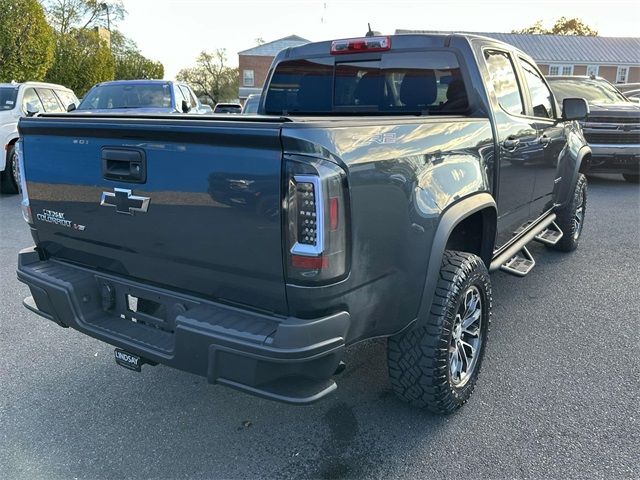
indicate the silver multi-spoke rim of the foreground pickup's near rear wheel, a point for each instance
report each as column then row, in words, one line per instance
column 466, row 337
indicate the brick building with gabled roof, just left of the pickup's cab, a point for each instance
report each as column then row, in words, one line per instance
column 254, row 63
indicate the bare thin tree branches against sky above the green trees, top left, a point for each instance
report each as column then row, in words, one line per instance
column 67, row 15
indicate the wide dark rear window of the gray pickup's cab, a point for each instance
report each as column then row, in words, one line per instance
column 397, row 83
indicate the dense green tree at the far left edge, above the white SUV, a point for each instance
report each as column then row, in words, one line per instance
column 26, row 41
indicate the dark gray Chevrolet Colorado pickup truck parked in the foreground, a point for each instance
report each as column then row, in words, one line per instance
column 384, row 179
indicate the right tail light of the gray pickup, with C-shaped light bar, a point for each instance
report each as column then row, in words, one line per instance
column 316, row 221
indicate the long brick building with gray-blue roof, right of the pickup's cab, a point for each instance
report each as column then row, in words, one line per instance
column 615, row 58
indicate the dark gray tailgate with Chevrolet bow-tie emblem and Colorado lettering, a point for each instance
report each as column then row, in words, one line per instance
column 192, row 205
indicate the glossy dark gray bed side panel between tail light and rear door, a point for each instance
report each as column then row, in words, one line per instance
column 402, row 175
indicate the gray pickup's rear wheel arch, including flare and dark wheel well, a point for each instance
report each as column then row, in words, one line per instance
column 453, row 226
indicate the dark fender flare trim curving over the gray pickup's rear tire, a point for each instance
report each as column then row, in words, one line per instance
column 448, row 222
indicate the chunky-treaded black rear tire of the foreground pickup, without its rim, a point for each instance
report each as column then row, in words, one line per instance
column 419, row 359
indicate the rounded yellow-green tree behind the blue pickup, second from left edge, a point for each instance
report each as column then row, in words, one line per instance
column 82, row 59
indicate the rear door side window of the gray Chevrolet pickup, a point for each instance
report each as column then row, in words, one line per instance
column 503, row 79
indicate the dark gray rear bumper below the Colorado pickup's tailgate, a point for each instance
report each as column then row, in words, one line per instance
column 280, row 358
